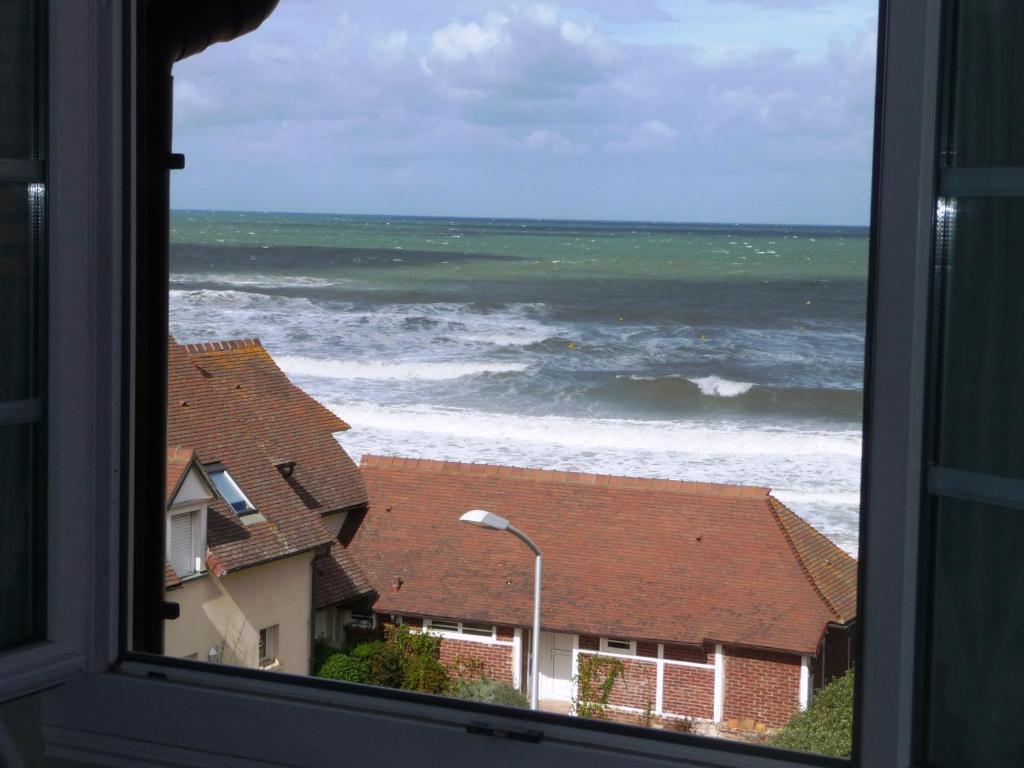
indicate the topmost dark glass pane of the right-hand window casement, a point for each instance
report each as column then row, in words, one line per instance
column 989, row 91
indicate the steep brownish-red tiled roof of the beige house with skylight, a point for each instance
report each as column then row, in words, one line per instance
column 235, row 406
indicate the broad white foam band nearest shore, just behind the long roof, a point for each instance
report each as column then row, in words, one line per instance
column 793, row 461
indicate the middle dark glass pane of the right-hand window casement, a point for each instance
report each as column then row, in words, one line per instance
column 983, row 377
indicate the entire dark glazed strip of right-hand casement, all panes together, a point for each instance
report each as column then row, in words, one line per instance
column 975, row 671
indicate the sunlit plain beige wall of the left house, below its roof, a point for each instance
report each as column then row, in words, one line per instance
column 229, row 613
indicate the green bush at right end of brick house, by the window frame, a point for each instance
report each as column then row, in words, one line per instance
column 827, row 727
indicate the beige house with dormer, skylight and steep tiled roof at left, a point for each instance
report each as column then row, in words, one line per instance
column 258, row 490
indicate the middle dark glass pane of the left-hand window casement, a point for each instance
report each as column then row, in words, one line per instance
column 21, row 219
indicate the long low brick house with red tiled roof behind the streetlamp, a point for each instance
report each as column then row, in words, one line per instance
column 721, row 604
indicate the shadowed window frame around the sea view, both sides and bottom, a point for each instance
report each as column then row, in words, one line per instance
column 87, row 493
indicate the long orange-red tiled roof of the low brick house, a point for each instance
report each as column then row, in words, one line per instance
column 660, row 561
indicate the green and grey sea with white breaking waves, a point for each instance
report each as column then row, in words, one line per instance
column 711, row 353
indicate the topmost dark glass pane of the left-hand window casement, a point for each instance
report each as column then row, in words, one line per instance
column 18, row 79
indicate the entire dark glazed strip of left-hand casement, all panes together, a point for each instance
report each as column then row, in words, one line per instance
column 23, row 330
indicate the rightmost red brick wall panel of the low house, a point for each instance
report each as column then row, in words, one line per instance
column 761, row 687
